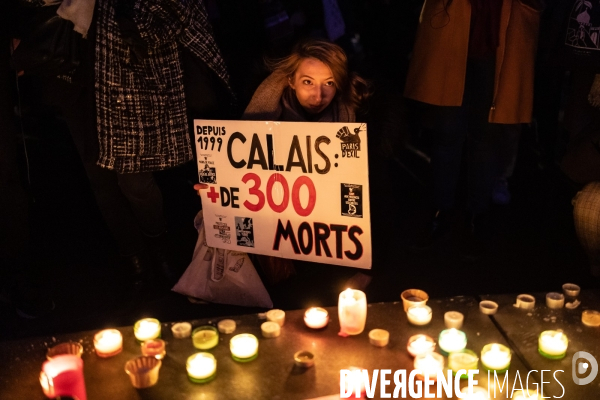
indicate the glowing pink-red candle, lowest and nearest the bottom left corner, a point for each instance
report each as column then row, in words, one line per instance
column 63, row 376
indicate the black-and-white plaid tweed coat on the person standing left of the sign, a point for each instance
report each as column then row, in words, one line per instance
column 141, row 112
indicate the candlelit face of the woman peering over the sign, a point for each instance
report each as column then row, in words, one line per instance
column 314, row 85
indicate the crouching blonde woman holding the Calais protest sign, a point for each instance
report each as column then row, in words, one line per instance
column 312, row 84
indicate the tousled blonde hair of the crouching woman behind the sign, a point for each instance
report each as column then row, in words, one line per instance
column 351, row 88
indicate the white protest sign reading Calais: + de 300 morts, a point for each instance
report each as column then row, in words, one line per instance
column 295, row 190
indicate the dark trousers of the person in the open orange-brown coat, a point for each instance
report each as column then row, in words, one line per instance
column 468, row 123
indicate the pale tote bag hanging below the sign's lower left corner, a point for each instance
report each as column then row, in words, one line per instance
column 222, row 276
